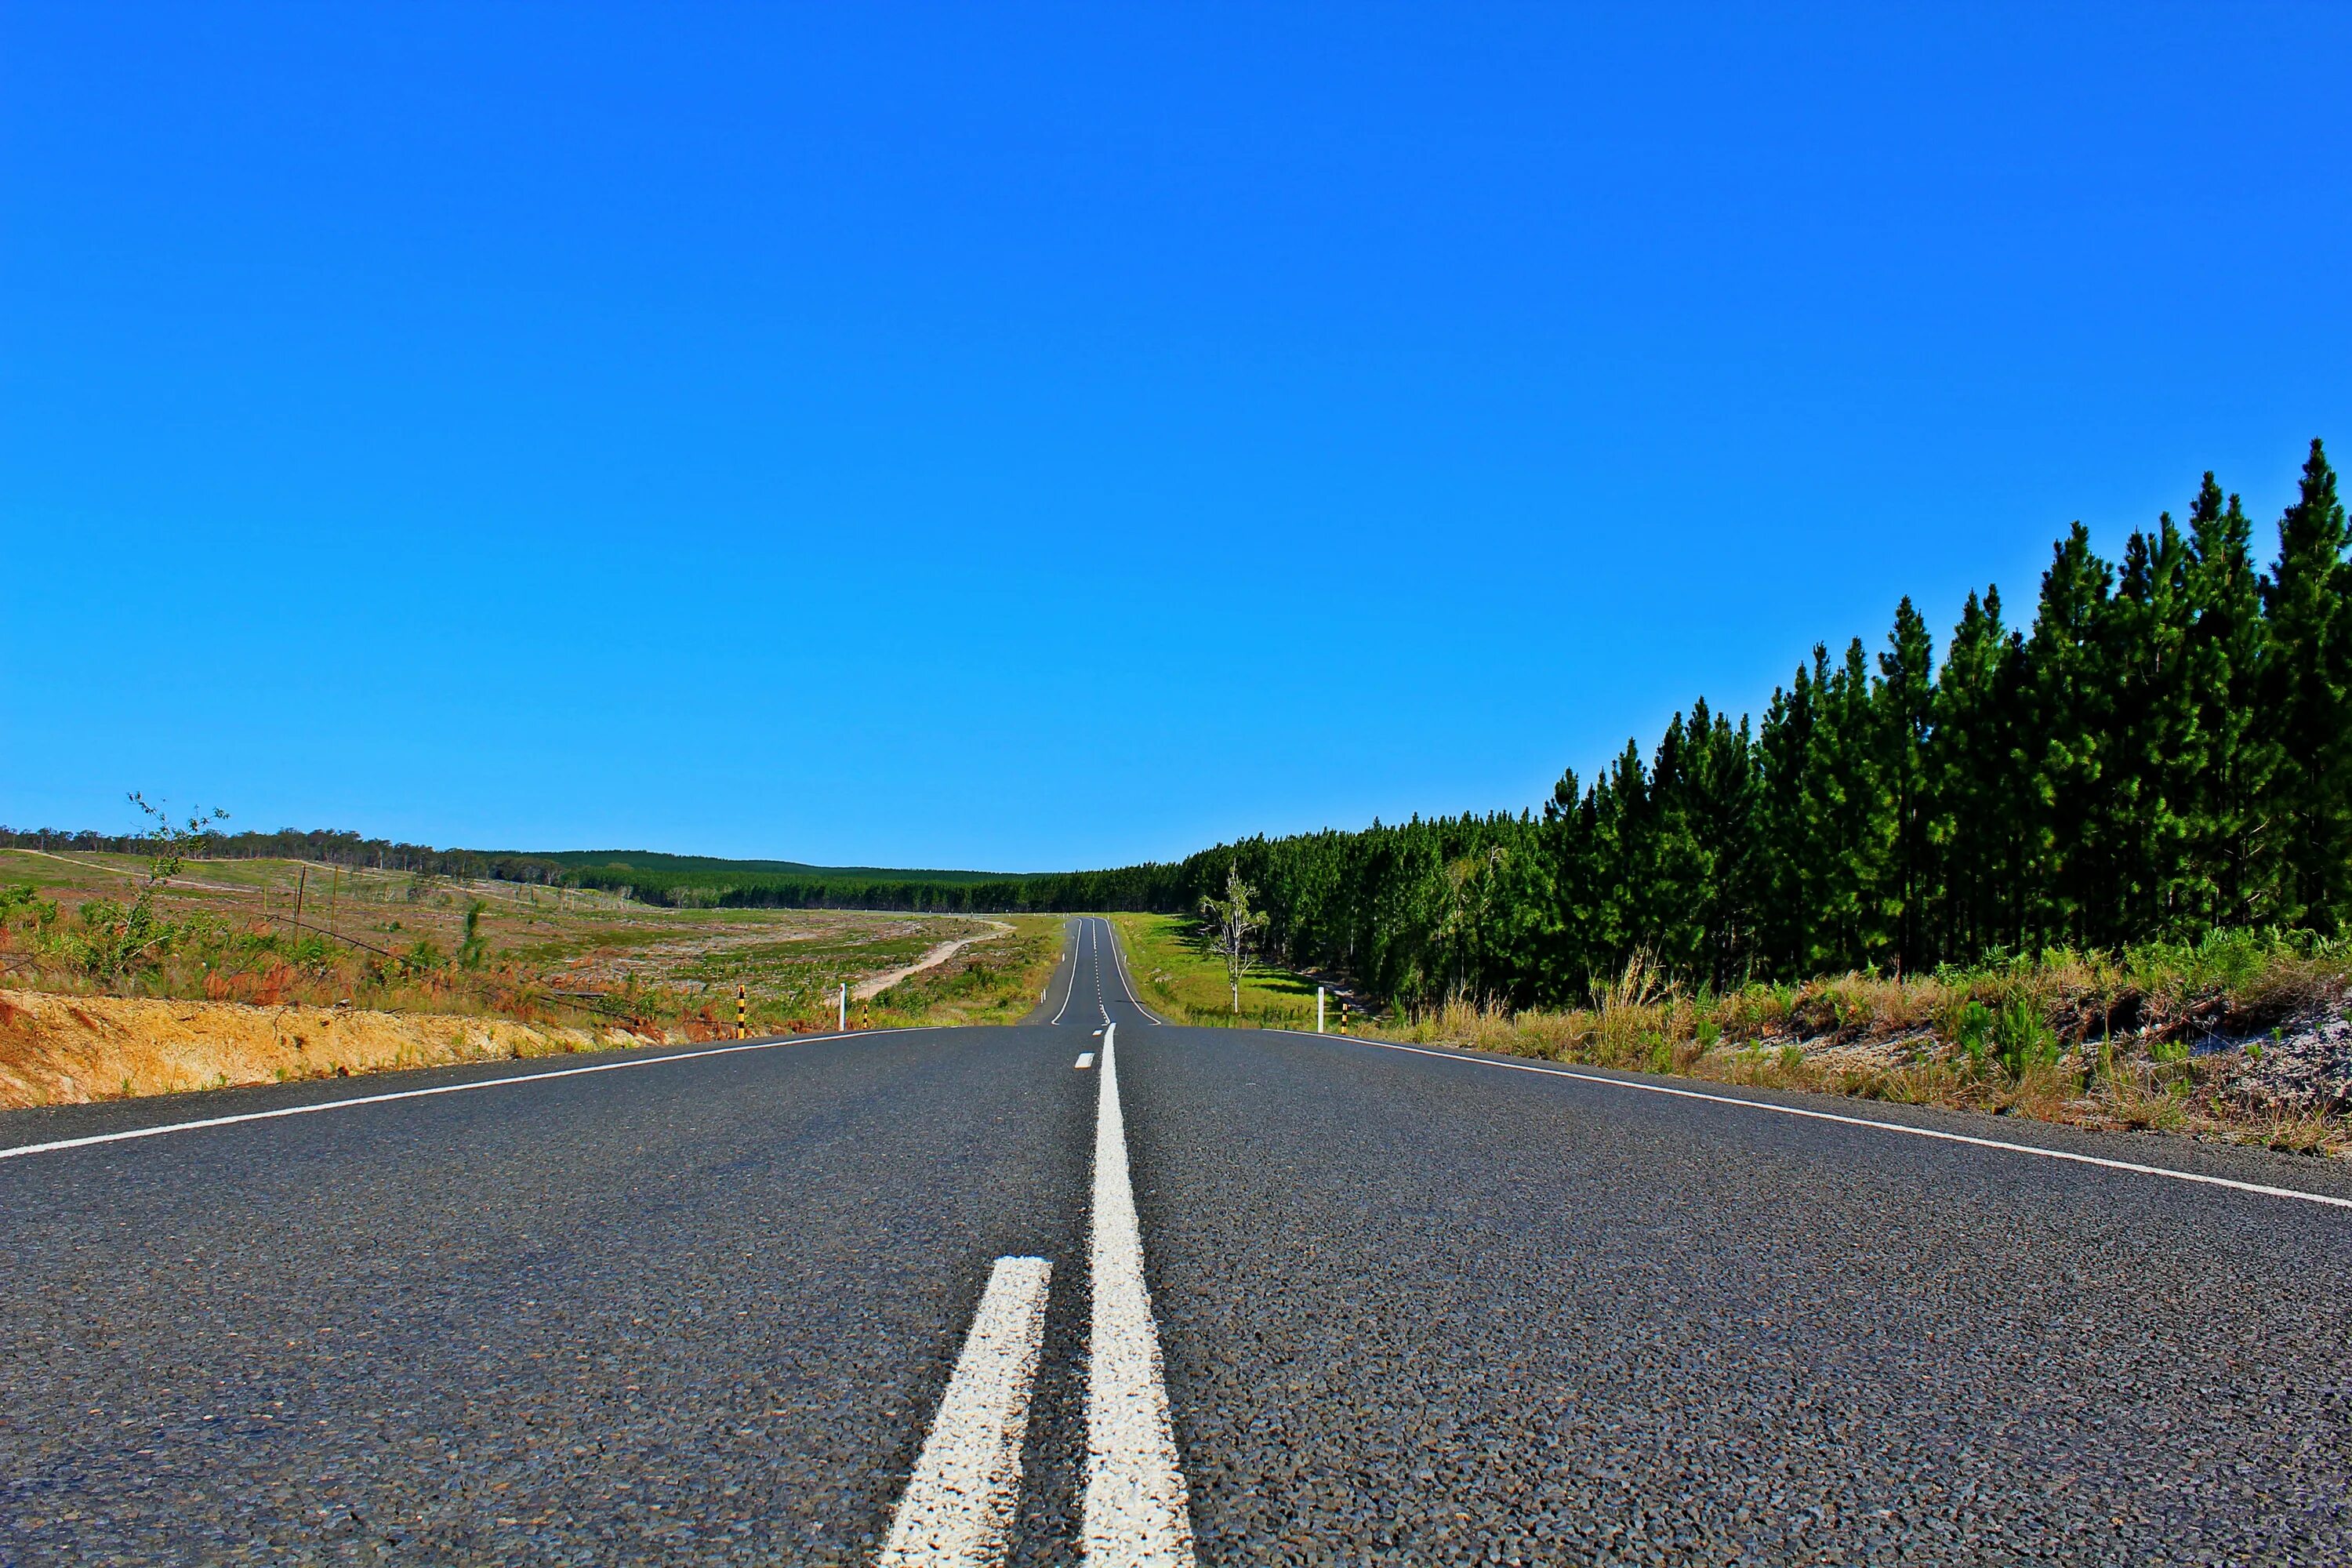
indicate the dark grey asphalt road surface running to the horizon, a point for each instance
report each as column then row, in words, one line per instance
column 1412, row 1308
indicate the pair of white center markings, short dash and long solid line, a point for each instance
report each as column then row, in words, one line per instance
column 961, row 1501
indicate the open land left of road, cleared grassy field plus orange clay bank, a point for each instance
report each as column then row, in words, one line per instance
column 396, row 972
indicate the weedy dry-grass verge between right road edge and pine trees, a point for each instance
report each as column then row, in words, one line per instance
column 2238, row 1038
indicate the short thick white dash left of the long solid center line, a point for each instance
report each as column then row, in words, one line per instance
column 958, row 1506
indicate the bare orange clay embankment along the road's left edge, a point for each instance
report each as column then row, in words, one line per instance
column 79, row 1050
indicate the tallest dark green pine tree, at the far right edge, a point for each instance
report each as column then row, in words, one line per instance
column 2311, row 674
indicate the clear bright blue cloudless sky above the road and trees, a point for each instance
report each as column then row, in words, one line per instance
column 1031, row 438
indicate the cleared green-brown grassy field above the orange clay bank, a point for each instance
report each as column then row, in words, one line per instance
column 399, row 944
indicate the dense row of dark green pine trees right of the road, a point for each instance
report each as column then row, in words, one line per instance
column 2165, row 749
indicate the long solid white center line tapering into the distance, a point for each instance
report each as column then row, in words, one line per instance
column 1135, row 1513
